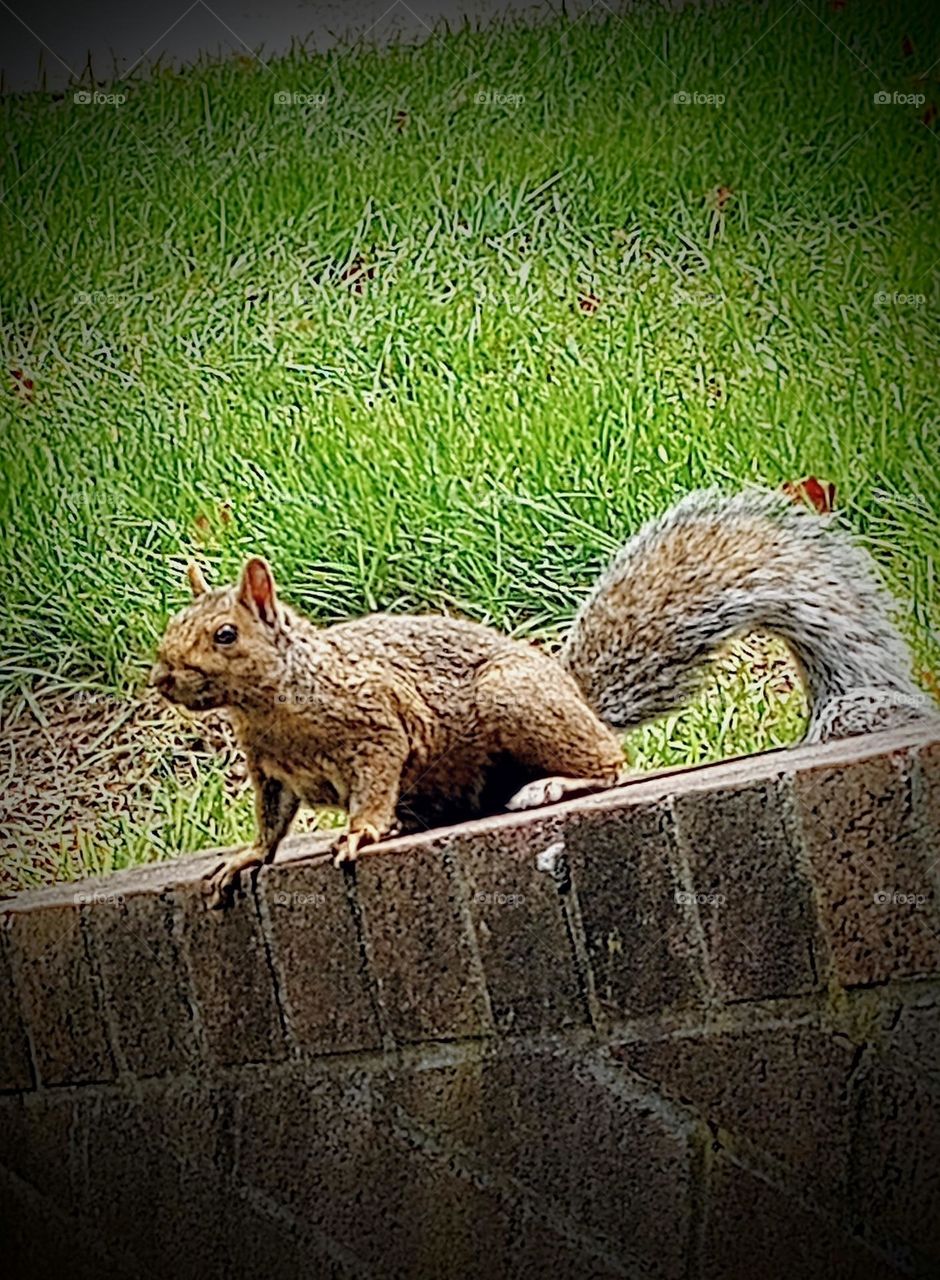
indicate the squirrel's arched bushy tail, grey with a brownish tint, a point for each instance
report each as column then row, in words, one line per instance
column 717, row 566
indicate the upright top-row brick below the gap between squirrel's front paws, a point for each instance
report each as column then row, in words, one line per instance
column 325, row 982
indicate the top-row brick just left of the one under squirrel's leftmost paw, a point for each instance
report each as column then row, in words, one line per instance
column 144, row 982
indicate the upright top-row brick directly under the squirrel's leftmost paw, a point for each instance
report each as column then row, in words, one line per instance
column 232, row 980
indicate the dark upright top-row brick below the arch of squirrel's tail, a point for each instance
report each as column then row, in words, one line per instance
column 754, row 902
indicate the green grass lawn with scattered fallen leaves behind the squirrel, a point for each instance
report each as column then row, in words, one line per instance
column 436, row 328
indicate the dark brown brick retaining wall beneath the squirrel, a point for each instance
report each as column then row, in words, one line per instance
column 686, row 1030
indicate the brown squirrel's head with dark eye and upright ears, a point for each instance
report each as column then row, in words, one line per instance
column 222, row 651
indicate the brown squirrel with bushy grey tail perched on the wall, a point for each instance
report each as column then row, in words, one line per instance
column 412, row 723
